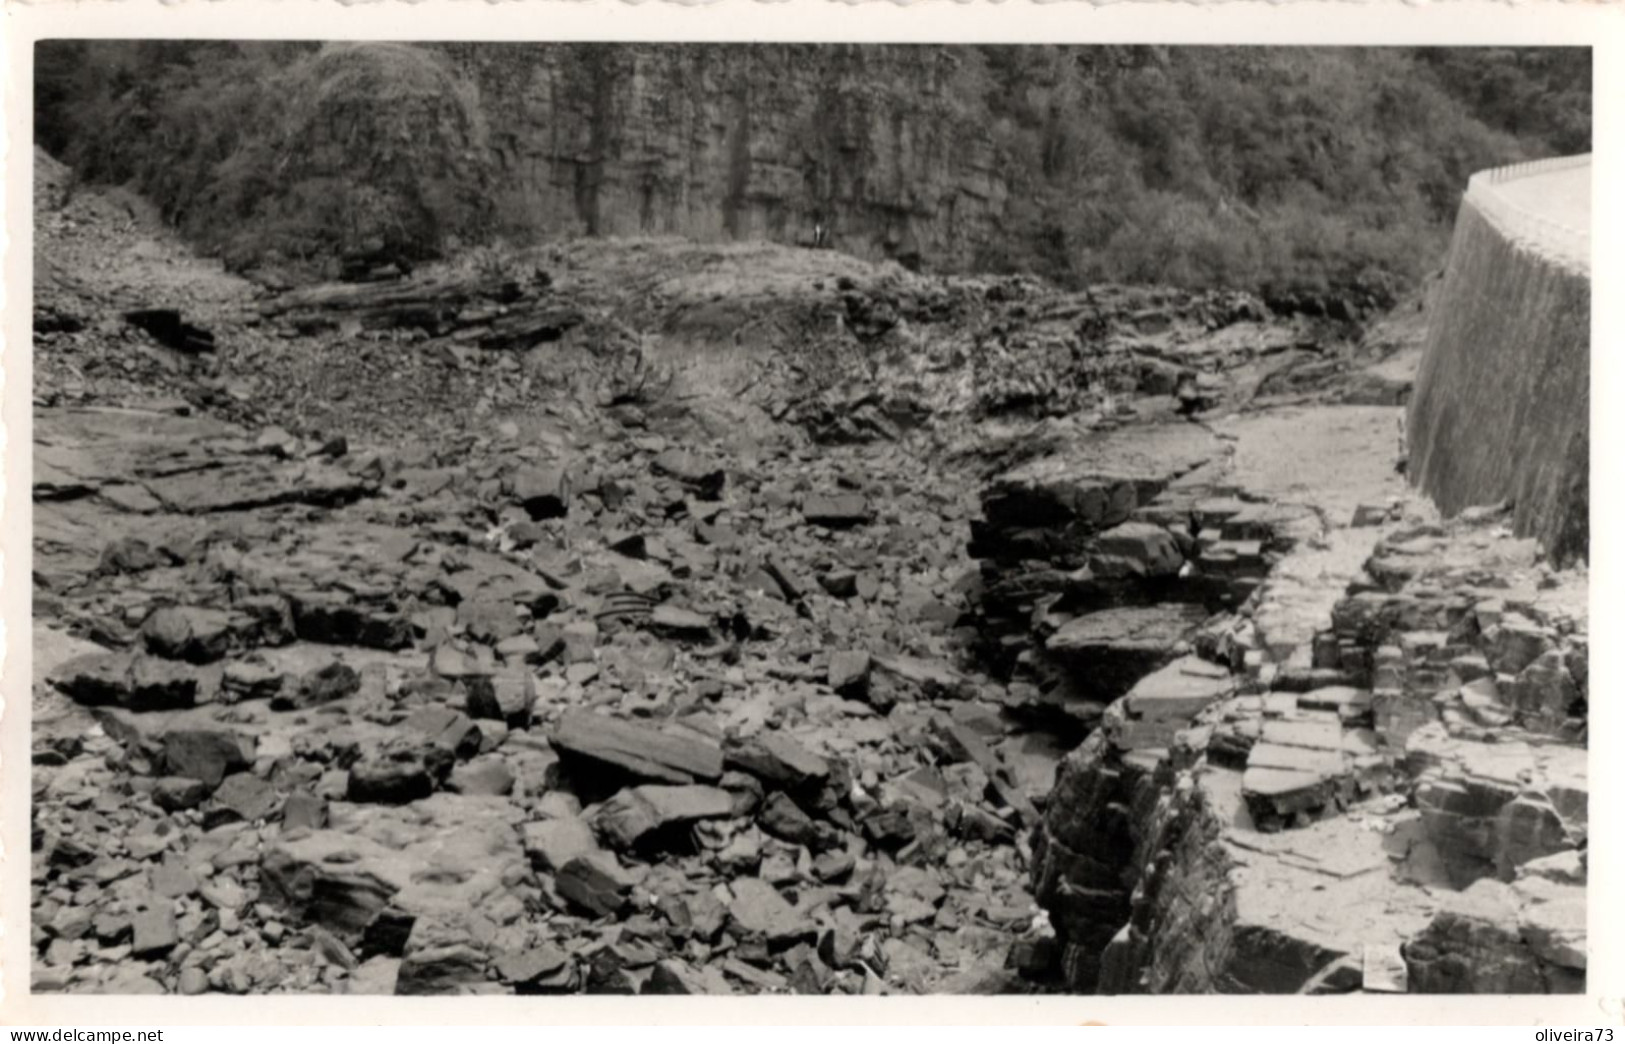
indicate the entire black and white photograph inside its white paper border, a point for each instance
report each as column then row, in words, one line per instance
column 849, row 520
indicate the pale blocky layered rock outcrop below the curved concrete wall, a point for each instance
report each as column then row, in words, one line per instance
column 1397, row 806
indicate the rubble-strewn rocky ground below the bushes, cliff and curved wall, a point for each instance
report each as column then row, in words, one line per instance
column 644, row 617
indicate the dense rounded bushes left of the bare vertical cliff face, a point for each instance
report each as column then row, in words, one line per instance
column 292, row 154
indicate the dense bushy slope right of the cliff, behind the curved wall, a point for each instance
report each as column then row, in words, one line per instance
column 1247, row 167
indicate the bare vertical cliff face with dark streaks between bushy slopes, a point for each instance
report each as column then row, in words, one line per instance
column 727, row 142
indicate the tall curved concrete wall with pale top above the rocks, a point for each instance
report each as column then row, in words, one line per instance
column 1504, row 394
